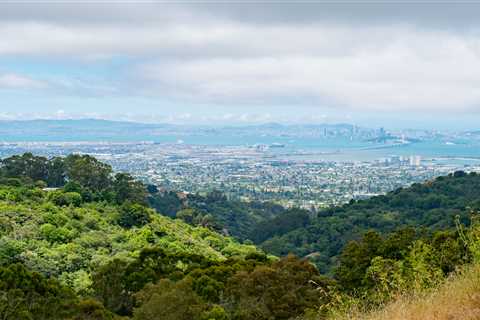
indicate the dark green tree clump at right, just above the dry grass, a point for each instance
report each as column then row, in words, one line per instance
column 446, row 252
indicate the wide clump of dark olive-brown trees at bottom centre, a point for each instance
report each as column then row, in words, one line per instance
column 235, row 289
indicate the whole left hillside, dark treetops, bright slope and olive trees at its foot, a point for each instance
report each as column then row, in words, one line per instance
column 78, row 242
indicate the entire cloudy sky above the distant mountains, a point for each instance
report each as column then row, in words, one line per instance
column 375, row 63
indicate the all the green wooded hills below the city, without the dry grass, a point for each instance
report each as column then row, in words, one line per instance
column 78, row 241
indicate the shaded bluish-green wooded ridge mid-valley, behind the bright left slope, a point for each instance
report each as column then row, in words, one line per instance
column 254, row 221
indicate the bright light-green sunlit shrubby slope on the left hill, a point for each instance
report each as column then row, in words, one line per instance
column 70, row 241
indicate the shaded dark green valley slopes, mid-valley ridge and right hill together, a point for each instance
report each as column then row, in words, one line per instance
column 322, row 235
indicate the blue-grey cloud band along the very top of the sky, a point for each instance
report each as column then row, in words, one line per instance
column 435, row 13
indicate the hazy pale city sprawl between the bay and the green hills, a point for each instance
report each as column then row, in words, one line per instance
column 252, row 173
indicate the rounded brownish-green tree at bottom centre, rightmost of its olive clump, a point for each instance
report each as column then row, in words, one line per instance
column 283, row 290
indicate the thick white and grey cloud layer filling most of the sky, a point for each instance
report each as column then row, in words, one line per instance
column 383, row 57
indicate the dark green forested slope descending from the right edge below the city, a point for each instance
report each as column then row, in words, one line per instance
column 432, row 205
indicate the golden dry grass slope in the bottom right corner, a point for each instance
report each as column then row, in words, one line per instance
column 457, row 299
